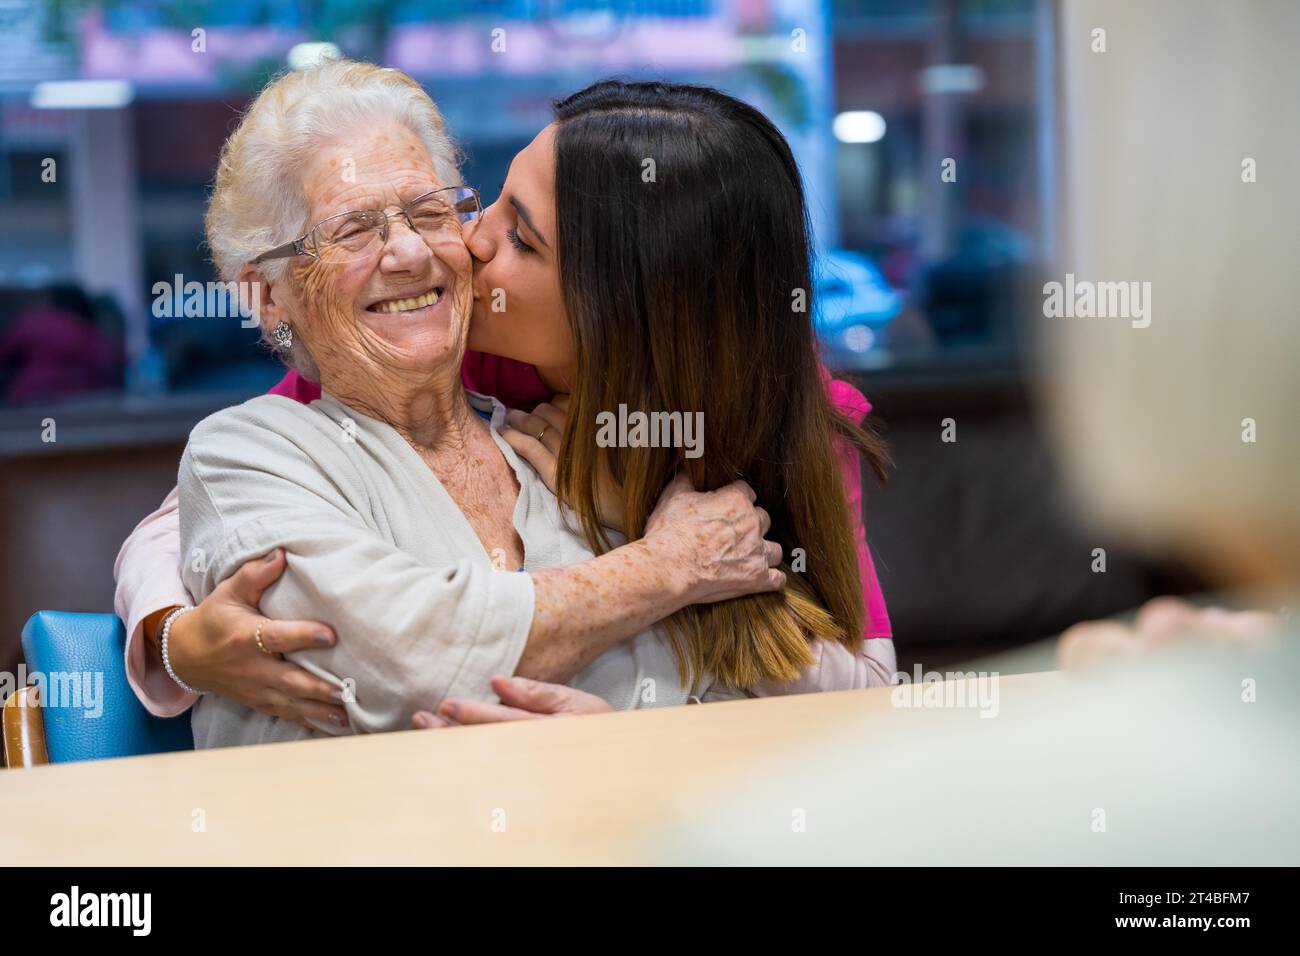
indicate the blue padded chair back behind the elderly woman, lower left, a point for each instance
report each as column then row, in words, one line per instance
column 96, row 713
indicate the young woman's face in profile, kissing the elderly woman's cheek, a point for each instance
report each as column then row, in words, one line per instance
column 518, row 309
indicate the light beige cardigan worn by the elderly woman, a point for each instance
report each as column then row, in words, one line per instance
column 378, row 548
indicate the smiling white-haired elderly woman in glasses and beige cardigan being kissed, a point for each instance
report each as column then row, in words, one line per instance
column 406, row 521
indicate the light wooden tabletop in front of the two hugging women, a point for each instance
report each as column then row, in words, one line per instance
column 562, row 791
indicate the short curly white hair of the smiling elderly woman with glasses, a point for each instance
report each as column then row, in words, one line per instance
column 259, row 198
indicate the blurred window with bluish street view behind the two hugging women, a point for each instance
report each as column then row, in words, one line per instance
column 924, row 128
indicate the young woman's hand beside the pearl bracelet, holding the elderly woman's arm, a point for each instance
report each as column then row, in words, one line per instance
column 214, row 650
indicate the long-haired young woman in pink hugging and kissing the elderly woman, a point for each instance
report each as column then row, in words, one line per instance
column 674, row 293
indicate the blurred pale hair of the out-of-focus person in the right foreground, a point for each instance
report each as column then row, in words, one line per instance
column 1181, row 145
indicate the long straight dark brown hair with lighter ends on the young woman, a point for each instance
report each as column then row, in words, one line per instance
column 683, row 250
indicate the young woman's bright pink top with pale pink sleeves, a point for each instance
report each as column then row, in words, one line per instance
column 149, row 578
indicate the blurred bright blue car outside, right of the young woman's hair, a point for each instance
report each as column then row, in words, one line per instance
column 853, row 302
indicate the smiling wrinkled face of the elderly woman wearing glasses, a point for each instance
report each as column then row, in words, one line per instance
column 401, row 308
